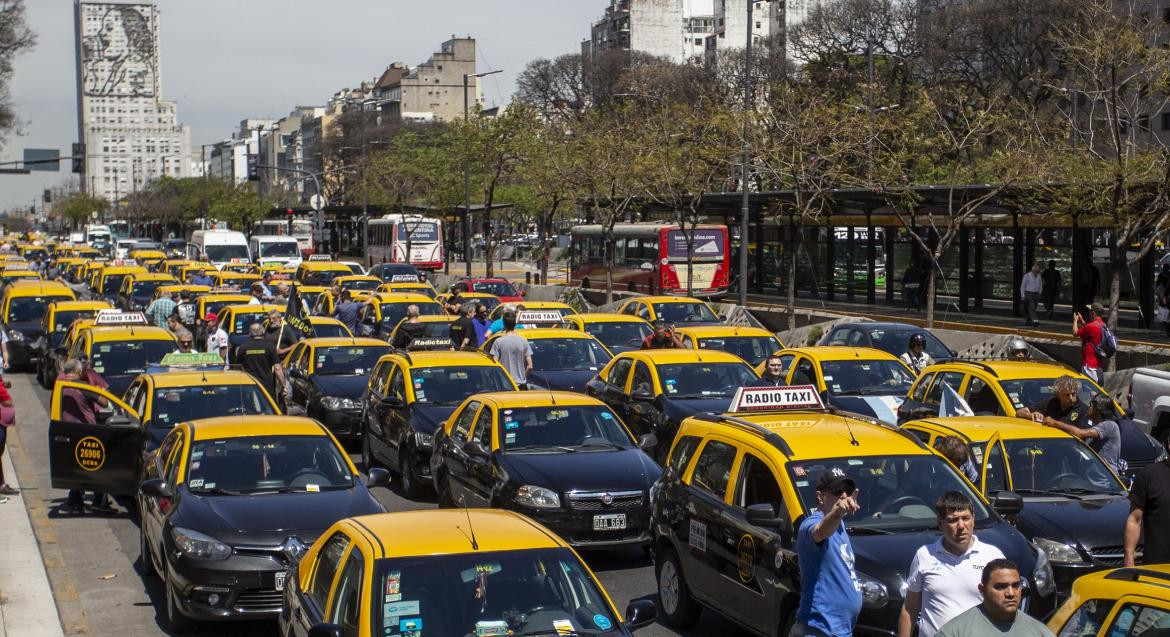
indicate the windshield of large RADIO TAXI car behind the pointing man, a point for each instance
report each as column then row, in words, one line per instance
column 896, row 492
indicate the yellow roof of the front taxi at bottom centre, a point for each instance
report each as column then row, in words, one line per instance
column 445, row 532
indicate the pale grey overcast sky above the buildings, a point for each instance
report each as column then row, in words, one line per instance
column 226, row 60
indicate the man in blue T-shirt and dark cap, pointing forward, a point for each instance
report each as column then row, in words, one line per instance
column 831, row 594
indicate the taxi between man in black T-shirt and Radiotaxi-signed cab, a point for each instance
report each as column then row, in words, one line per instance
column 328, row 378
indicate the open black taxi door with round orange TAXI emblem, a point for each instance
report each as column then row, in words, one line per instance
column 105, row 457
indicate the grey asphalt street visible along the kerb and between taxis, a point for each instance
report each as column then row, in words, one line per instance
column 93, row 559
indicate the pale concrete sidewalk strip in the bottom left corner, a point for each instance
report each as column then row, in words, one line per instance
column 27, row 608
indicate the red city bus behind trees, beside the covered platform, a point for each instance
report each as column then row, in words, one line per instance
column 653, row 258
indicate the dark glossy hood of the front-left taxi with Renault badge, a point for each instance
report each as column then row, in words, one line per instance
column 271, row 518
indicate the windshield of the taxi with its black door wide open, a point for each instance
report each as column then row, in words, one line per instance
column 174, row 406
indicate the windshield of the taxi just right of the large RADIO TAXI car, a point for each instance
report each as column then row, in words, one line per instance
column 1056, row 465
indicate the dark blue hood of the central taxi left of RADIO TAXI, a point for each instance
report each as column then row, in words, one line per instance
column 612, row 470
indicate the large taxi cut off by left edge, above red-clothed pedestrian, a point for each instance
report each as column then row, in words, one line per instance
column 23, row 306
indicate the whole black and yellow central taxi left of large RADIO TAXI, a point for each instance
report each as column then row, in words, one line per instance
column 563, row 460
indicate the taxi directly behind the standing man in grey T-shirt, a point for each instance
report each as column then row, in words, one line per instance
column 563, row 360
